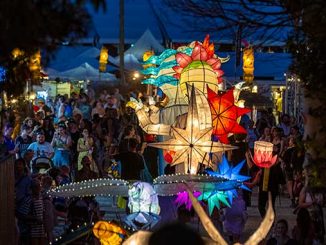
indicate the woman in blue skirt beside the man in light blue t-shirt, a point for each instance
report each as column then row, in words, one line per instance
column 61, row 142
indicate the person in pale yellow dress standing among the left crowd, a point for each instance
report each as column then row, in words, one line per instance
column 84, row 147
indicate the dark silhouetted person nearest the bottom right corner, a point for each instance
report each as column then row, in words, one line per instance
column 303, row 232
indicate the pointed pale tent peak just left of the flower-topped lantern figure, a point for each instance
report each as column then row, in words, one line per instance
column 146, row 42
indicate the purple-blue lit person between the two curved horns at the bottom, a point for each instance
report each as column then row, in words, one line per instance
column 234, row 218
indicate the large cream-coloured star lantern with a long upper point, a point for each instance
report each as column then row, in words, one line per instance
column 192, row 144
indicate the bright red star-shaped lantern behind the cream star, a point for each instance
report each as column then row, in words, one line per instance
column 225, row 114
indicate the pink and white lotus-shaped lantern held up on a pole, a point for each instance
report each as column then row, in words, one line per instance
column 263, row 154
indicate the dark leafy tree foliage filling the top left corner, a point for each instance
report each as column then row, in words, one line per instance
column 32, row 25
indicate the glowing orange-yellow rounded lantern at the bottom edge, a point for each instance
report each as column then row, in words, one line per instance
column 109, row 233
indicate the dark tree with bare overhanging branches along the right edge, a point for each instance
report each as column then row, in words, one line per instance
column 303, row 23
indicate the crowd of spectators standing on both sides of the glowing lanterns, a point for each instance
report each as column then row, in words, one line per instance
column 86, row 136
